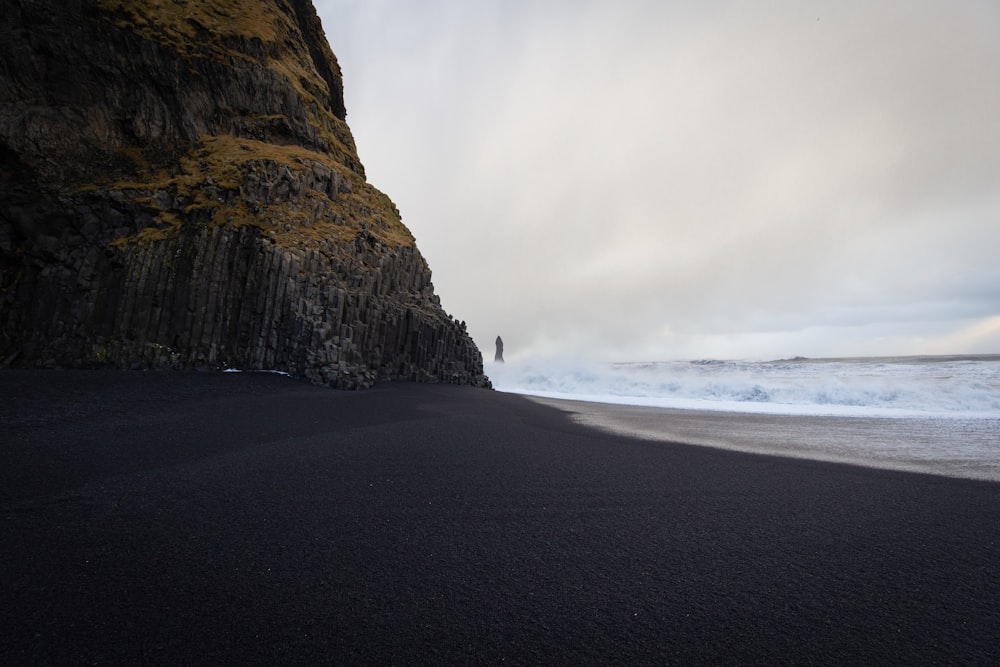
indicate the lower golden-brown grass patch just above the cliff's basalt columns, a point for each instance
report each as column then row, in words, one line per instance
column 209, row 181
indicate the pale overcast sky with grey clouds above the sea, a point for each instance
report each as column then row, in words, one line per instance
column 659, row 180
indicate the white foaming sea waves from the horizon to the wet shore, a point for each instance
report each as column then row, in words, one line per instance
column 950, row 387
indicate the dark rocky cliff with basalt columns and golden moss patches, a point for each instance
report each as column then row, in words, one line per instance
column 178, row 188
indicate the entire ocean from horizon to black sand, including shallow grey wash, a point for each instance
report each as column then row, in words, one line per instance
column 936, row 414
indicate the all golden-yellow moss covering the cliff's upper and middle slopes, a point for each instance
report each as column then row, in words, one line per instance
column 210, row 182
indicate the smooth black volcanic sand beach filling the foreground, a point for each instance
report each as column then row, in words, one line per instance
column 183, row 518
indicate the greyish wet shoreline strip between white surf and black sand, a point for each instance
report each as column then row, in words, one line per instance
column 951, row 447
